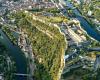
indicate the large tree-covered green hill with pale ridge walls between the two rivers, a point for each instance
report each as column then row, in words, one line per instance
column 48, row 45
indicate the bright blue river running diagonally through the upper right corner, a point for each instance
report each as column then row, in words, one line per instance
column 84, row 23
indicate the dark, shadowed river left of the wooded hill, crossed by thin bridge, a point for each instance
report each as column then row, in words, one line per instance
column 17, row 54
